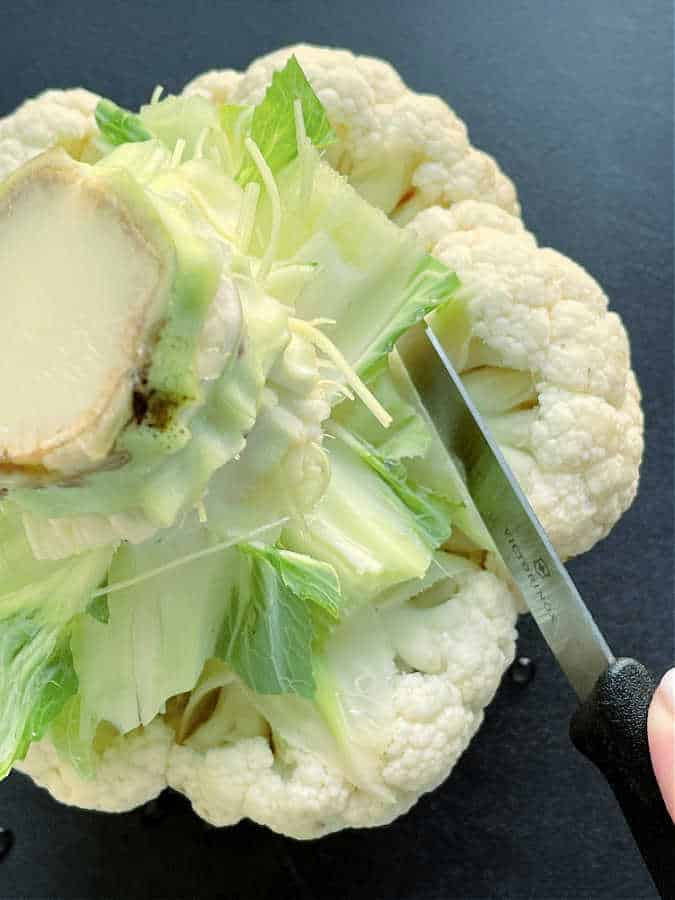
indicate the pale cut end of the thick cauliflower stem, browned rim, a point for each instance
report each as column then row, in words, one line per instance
column 69, row 240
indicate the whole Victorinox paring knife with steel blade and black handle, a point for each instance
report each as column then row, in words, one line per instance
column 610, row 725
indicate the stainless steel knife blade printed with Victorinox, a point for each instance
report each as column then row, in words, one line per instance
column 548, row 590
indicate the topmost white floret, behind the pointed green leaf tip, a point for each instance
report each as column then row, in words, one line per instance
column 403, row 151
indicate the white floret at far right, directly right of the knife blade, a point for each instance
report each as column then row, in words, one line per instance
column 549, row 367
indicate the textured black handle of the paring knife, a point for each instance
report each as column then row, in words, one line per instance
column 610, row 728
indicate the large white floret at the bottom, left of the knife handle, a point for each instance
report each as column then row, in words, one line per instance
column 431, row 706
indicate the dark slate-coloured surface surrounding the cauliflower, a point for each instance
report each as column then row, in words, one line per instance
column 575, row 100
